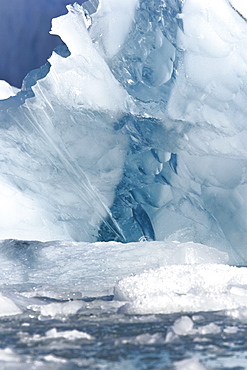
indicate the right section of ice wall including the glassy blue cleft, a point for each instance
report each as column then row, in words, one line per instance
column 188, row 146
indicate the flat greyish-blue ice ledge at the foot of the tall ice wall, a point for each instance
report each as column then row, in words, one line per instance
column 67, row 269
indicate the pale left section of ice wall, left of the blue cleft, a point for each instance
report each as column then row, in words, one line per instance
column 66, row 163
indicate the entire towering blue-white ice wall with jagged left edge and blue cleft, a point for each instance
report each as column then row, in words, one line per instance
column 136, row 130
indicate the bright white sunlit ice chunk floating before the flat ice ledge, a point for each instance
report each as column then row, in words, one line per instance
column 183, row 289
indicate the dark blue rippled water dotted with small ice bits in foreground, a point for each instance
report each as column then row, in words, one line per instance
column 118, row 341
